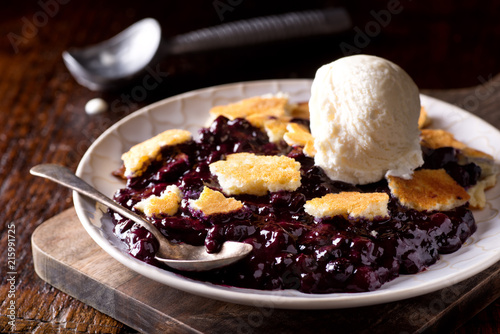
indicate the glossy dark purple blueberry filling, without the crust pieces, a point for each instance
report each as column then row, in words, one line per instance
column 292, row 250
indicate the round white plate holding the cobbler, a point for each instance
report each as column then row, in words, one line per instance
column 190, row 110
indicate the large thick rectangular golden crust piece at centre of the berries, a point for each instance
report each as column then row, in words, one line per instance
column 247, row 173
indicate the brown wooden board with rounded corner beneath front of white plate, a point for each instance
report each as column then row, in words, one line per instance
column 66, row 257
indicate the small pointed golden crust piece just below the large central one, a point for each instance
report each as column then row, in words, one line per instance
column 213, row 202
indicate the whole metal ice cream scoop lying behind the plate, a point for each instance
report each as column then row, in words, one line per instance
column 126, row 56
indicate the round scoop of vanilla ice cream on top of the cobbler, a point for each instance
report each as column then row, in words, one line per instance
column 364, row 119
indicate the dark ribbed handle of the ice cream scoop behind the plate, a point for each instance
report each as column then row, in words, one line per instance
column 261, row 30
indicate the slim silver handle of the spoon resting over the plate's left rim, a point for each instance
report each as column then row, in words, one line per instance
column 67, row 178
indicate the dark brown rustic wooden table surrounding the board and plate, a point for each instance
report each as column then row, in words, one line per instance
column 443, row 47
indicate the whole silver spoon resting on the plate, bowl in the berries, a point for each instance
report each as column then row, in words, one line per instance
column 178, row 256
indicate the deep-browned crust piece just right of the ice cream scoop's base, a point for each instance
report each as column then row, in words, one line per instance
column 428, row 190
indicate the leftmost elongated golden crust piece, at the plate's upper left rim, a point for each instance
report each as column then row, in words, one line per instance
column 139, row 157
